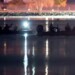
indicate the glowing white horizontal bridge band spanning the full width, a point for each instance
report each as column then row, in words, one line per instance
column 41, row 17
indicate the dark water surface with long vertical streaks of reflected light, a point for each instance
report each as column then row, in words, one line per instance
column 42, row 55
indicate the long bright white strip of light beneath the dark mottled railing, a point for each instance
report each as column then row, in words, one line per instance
column 51, row 16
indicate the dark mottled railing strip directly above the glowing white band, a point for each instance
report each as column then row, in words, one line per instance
column 37, row 14
